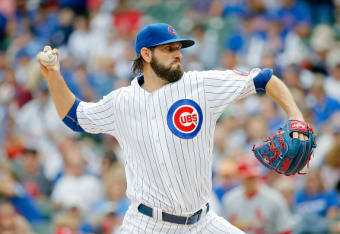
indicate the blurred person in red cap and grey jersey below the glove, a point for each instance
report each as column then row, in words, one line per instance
column 254, row 207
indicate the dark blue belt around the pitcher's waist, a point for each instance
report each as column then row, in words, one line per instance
column 186, row 220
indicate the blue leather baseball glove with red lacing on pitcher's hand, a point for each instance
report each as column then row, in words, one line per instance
column 285, row 154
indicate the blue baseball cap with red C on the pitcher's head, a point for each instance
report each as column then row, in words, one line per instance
column 159, row 34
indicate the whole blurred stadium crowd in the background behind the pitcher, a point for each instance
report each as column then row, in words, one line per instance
column 55, row 181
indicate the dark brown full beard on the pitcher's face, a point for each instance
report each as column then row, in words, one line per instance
column 167, row 73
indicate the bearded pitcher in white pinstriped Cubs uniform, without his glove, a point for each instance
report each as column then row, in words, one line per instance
column 164, row 122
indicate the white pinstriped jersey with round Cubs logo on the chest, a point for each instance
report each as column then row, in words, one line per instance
column 167, row 135
